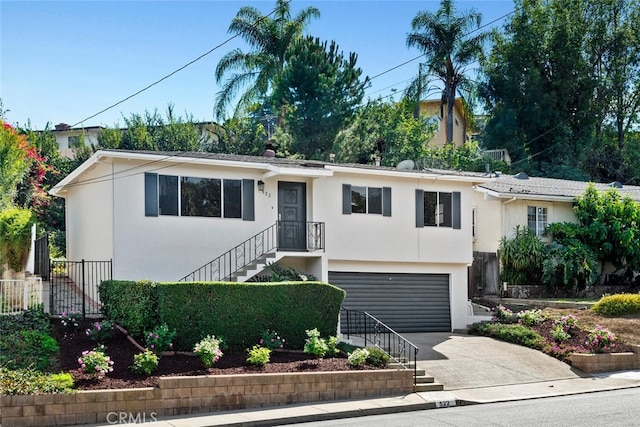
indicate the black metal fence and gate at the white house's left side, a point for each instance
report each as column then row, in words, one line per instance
column 73, row 286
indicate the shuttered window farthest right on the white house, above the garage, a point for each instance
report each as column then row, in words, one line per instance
column 438, row 209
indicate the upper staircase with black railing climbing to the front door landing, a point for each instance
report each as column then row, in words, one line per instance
column 256, row 253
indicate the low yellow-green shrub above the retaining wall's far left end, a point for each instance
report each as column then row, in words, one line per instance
column 28, row 381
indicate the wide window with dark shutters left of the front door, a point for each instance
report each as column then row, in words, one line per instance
column 202, row 197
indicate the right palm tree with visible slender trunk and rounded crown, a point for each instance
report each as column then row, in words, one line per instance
column 444, row 39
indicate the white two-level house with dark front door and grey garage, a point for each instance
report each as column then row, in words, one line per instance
column 398, row 241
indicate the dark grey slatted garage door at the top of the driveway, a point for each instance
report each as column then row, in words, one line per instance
column 404, row 302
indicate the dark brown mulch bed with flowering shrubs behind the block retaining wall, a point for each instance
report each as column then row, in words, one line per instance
column 74, row 341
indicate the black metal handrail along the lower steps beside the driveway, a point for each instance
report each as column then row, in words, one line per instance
column 363, row 325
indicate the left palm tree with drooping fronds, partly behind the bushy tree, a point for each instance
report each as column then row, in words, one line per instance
column 269, row 39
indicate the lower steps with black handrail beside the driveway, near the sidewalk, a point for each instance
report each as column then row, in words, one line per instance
column 369, row 331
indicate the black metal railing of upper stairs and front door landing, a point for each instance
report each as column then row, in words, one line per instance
column 253, row 250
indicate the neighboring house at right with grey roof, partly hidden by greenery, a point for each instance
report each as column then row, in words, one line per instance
column 507, row 201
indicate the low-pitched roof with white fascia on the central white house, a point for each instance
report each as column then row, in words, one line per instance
column 271, row 166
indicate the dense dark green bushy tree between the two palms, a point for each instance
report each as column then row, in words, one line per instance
column 317, row 93
